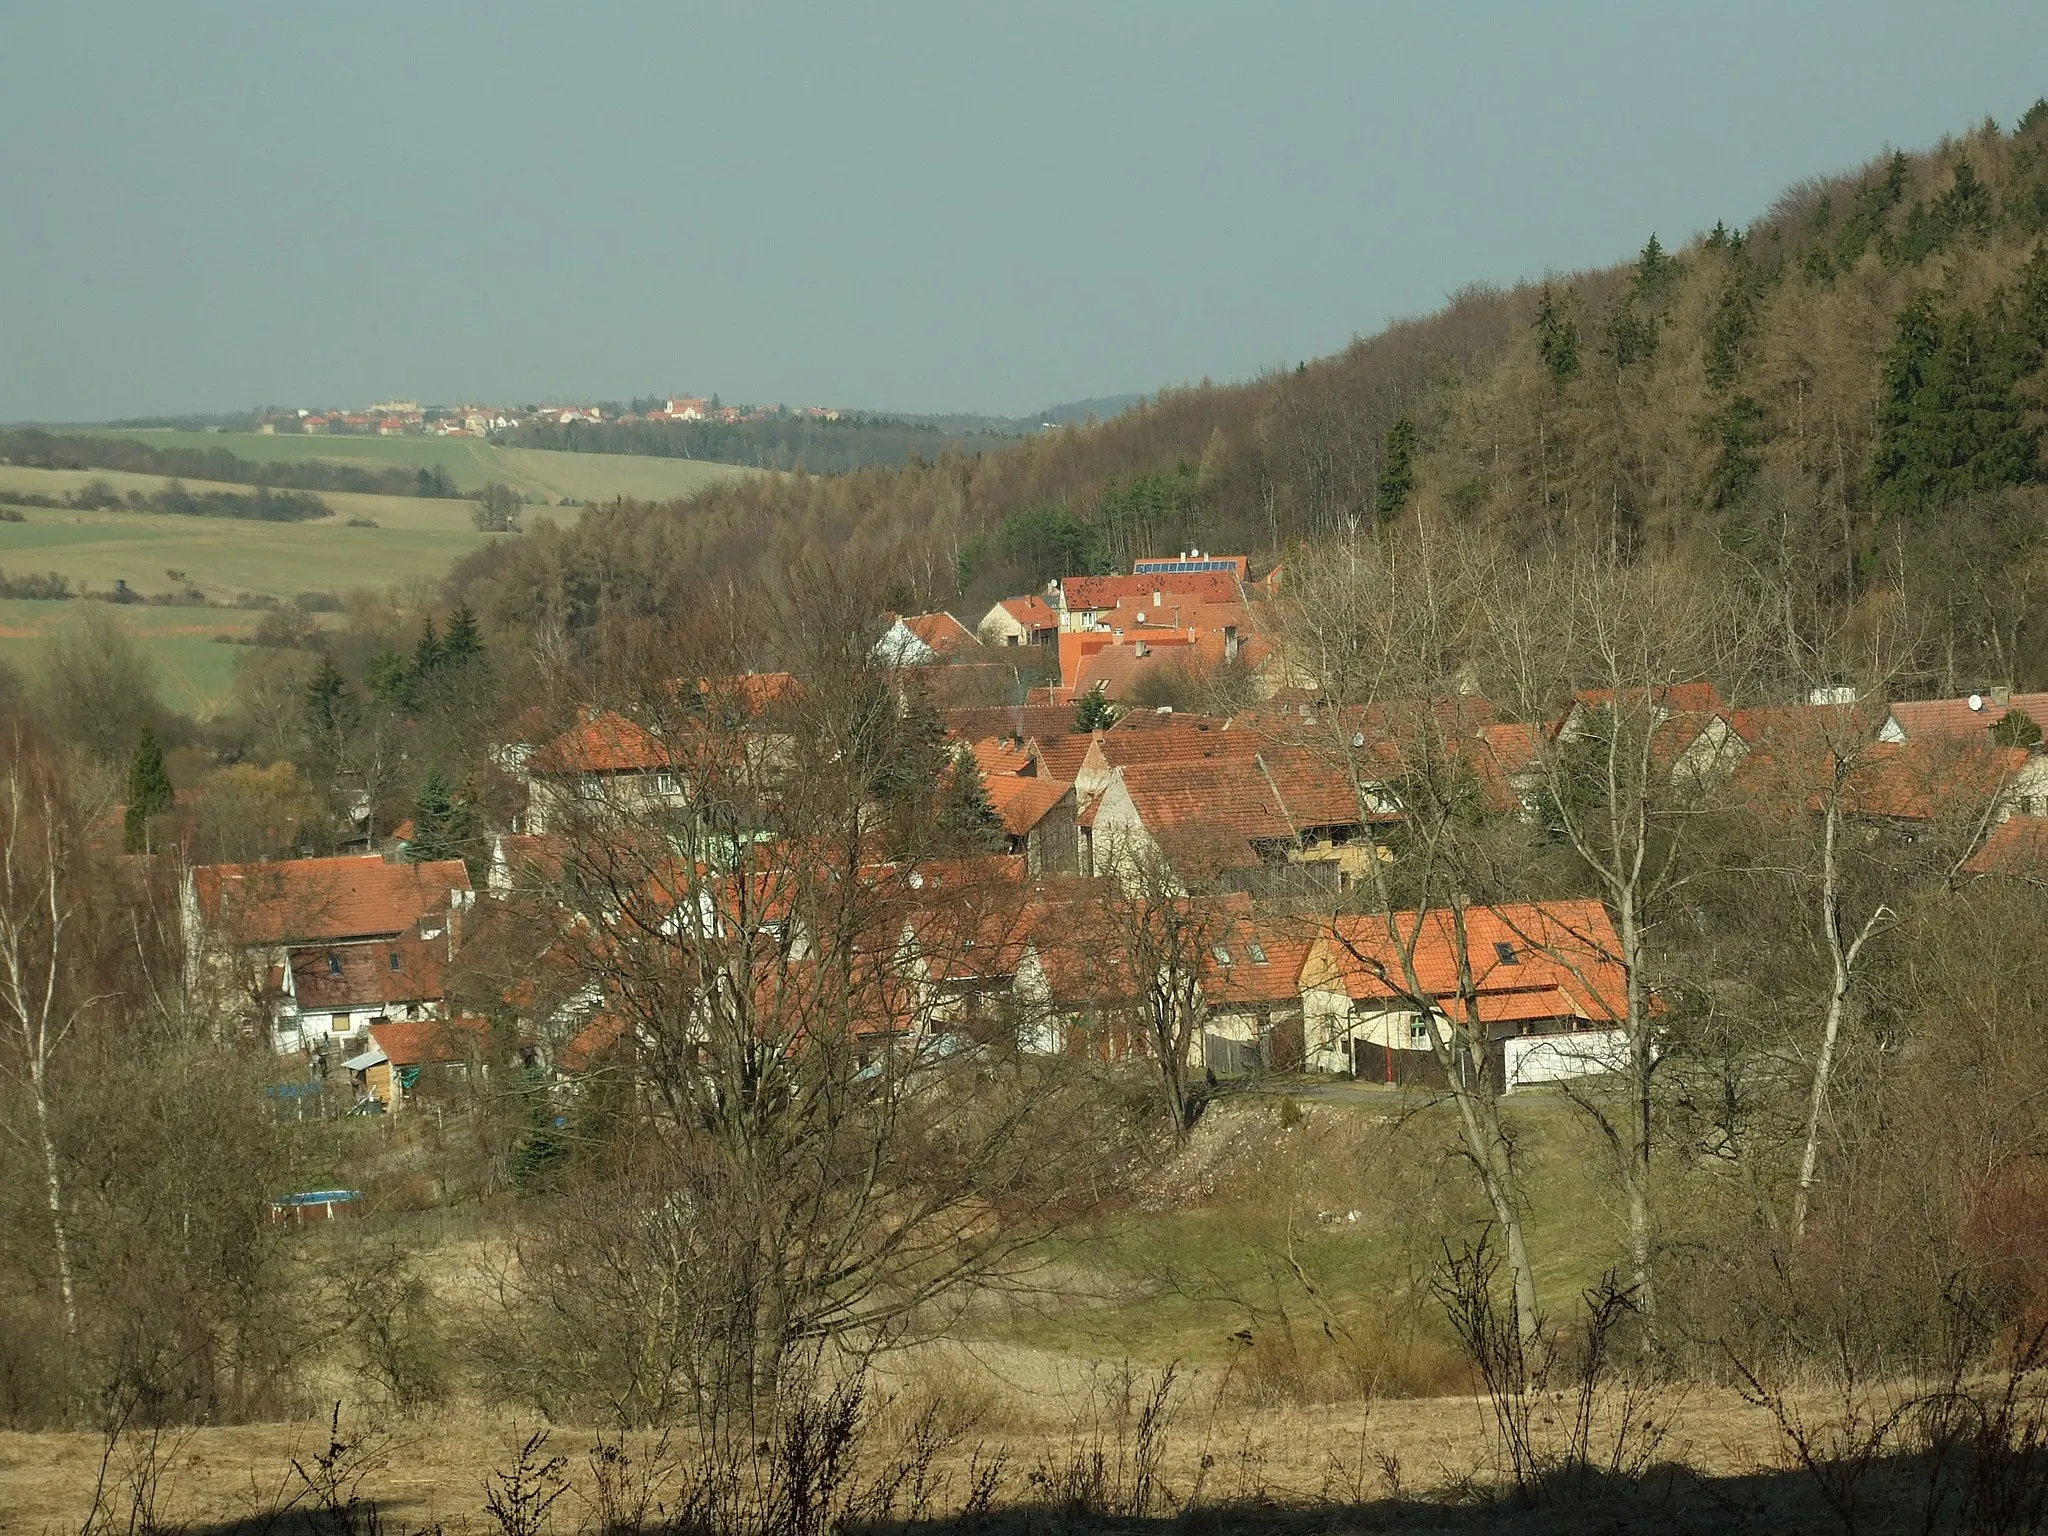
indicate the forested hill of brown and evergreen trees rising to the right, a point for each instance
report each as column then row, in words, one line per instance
column 1854, row 372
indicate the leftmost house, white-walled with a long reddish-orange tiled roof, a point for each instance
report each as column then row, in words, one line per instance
column 267, row 931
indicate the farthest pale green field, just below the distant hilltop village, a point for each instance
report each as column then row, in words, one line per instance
column 472, row 462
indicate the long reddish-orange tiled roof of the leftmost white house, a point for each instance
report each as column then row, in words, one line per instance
column 323, row 900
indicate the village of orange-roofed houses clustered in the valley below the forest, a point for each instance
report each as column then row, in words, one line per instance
column 1156, row 882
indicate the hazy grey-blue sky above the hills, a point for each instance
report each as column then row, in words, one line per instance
column 921, row 208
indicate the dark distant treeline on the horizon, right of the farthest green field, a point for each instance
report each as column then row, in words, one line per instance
column 779, row 443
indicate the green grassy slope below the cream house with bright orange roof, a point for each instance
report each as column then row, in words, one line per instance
column 1263, row 1213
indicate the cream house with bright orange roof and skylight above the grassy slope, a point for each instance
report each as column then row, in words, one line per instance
column 1545, row 984
